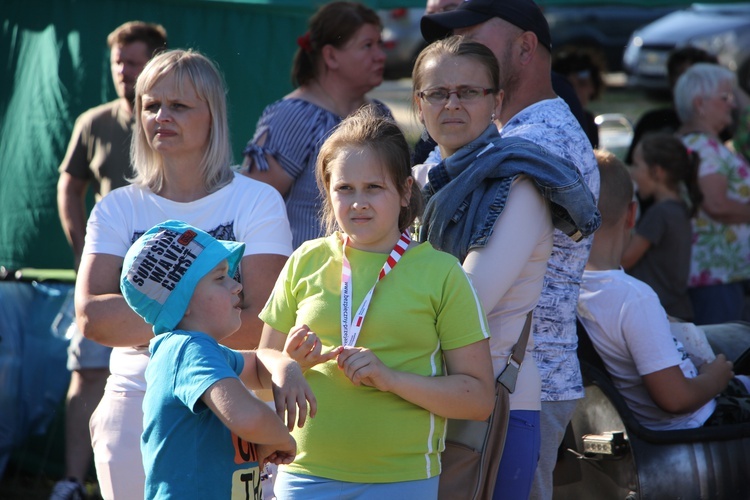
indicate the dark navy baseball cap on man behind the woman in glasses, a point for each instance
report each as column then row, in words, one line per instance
column 522, row 13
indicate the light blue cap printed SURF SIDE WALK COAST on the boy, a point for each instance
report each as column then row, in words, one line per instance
column 163, row 267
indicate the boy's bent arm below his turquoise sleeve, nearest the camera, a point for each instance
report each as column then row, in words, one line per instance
column 247, row 416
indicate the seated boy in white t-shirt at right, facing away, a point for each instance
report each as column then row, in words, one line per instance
column 630, row 330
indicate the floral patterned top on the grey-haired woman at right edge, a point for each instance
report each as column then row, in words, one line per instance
column 721, row 252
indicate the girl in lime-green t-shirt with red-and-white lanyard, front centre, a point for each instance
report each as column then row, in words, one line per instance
column 417, row 355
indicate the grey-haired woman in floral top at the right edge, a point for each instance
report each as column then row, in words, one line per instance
column 704, row 100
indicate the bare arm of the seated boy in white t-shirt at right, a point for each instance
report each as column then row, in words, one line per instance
column 675, row 393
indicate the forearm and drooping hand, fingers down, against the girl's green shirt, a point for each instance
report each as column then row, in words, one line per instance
column 271, row 369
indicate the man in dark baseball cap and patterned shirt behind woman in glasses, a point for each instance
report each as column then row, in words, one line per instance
column 518, row 35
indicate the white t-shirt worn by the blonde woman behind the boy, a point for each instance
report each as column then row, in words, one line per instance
column 244, row 210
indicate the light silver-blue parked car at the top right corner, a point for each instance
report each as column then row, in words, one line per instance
column 721, row 29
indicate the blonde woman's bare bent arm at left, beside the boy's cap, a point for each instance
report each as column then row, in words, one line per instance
column 101, row 311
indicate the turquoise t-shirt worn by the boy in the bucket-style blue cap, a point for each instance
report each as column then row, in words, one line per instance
column 187, row 451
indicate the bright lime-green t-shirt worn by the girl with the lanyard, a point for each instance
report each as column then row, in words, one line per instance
column 425, row 305
